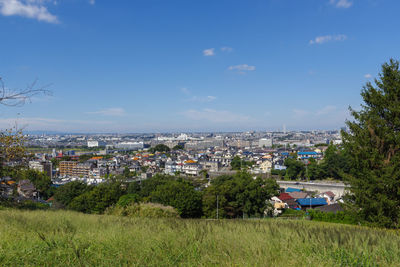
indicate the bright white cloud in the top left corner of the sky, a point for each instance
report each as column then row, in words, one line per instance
column 34, row 9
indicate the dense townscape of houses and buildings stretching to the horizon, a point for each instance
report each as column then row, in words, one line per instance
column 97, row 159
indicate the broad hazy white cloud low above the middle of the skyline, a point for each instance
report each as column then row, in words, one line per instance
column 216, row 116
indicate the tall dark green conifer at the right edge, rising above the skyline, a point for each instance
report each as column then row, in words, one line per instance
column 373, row 148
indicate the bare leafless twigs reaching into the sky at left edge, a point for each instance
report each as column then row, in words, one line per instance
column 9, row 97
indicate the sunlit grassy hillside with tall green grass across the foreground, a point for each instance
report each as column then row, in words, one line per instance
column 48, row 238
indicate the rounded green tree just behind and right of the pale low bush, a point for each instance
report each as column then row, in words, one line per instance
column 181, row 195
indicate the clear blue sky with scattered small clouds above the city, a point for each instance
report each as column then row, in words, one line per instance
column 217, row 65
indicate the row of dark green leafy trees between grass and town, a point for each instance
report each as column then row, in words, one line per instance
column 237, row 195
